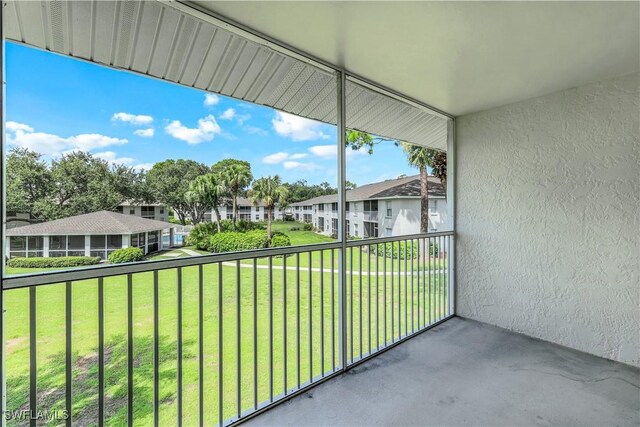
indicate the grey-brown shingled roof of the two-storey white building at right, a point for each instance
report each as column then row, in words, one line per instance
column 394, row 188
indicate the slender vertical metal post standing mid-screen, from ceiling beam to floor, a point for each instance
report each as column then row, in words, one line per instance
column 342, row 205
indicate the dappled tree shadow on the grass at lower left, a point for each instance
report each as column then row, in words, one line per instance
column 51, row 382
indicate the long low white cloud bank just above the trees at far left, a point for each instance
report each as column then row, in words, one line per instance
column 21, row 135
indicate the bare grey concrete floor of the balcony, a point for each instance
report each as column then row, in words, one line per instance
column 468, row 373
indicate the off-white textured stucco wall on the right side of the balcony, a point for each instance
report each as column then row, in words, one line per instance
column 548, row 218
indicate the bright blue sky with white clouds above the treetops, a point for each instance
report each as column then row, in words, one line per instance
column 56, row 104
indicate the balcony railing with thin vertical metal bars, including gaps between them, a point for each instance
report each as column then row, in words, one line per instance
column 215, row 338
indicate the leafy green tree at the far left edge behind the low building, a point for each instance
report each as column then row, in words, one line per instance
column 28, row 180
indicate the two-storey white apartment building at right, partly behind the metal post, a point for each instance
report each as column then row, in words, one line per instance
column 381, row 209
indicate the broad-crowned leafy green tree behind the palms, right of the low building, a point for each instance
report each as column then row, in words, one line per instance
column 169, row 182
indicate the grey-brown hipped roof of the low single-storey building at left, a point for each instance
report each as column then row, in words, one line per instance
column 101, row 222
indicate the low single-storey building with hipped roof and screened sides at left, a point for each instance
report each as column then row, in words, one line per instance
column 93, row 234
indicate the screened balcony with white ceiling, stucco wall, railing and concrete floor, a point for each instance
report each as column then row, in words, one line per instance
column 522, row 312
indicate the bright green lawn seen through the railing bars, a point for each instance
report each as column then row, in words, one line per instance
column 317, row 345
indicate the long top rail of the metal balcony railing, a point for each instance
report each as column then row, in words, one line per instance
column 94, row 272
